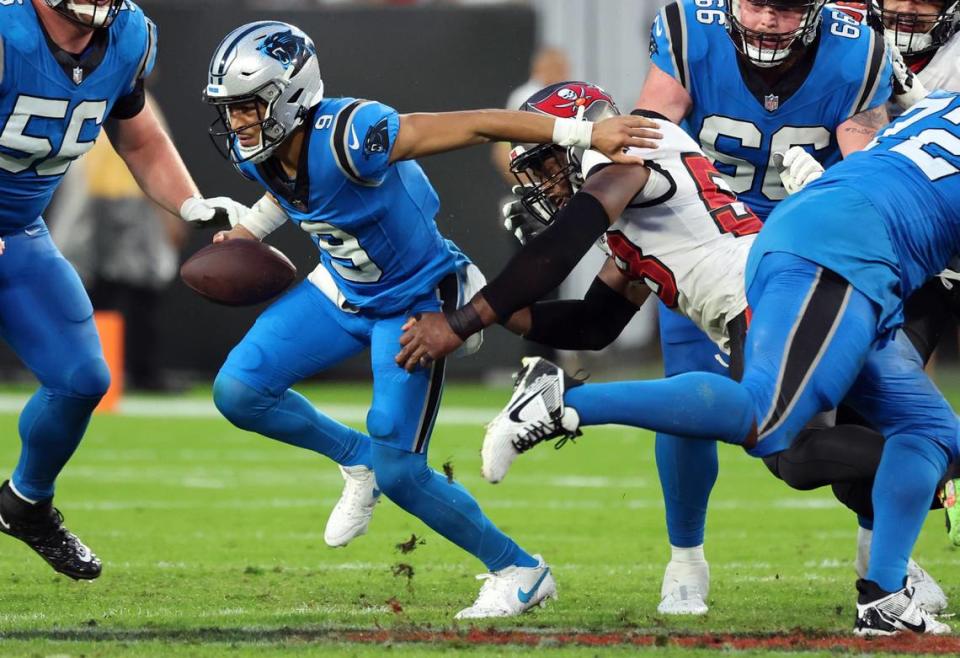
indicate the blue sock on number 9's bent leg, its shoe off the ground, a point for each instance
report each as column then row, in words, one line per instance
column 290, row 418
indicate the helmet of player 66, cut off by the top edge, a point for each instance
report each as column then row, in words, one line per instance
column 768, row 49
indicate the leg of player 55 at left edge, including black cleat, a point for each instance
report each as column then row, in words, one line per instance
column 48, row 321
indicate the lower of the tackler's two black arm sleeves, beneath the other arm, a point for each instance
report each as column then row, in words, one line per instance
column 590, row 323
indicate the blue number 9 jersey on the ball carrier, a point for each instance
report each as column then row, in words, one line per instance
column 373, row 221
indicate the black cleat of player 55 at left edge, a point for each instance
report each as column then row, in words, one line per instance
column 40, row 526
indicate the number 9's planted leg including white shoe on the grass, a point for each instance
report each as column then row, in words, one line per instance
column 400, row 423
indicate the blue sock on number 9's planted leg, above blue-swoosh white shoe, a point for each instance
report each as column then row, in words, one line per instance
column 446, row 507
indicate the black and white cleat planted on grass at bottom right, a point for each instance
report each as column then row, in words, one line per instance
column 884, row 613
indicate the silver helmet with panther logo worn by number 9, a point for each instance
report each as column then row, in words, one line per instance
column 269, row 63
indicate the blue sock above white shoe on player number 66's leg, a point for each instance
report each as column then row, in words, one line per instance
column 688, row 470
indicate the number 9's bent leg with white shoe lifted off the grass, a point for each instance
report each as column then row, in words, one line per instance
column 299, row 335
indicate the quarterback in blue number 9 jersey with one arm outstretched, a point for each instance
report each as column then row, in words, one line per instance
column 342, row 170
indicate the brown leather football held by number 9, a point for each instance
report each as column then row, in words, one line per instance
column 238, row 272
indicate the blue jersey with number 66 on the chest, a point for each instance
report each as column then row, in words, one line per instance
column 850, row 73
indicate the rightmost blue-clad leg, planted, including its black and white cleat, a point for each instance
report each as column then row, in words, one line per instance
column 897, row 397
